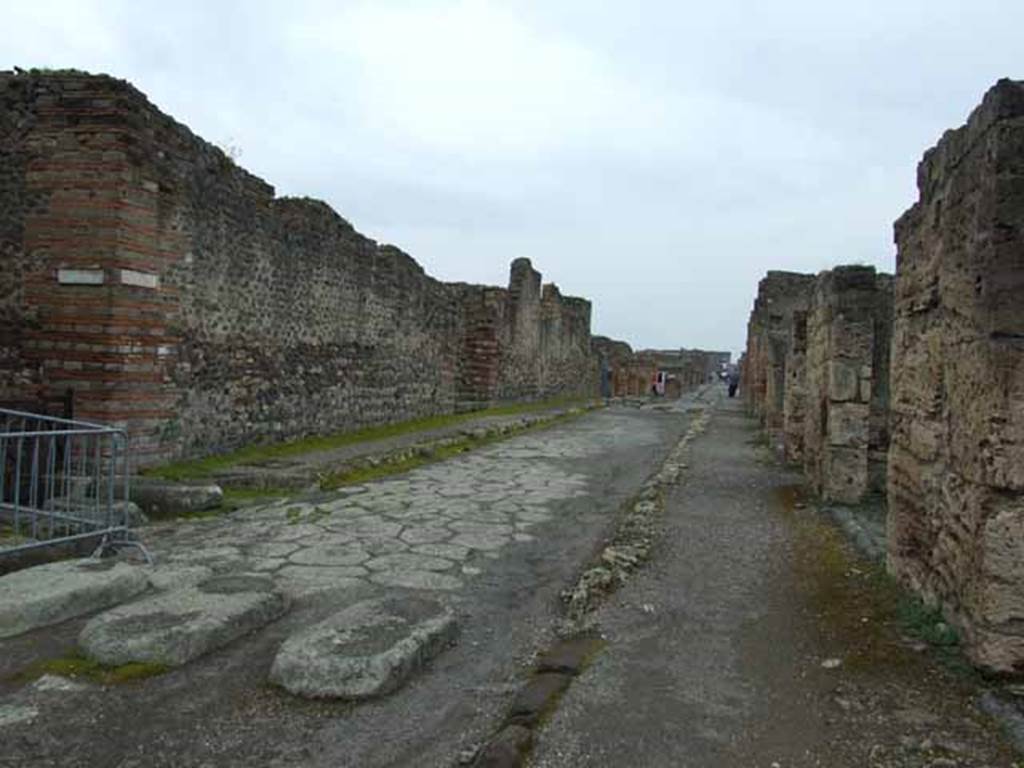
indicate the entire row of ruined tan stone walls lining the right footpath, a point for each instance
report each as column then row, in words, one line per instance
column 915, row 388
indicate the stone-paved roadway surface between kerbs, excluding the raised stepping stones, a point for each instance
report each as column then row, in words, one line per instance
column 496, row 534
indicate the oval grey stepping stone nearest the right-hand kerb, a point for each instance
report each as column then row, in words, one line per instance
column 368, row 650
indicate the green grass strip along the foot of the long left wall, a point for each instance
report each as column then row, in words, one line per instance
column 201, row 468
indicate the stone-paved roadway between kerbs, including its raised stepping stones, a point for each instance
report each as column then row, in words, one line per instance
column 494, row 537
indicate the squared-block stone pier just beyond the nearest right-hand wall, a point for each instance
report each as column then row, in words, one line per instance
column 845, row 389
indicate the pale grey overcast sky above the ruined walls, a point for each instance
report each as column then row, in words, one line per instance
column 657, row 158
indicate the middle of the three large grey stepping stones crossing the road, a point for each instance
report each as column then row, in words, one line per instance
column 175, row 628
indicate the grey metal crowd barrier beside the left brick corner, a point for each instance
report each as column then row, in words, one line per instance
column 62, row 481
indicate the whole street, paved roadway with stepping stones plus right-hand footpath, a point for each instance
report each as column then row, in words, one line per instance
column 756, row 635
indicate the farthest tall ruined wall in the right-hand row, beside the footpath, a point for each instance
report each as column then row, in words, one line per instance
column 781, row 297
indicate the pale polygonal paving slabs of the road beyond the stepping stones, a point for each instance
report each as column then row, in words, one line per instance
column 430, row 530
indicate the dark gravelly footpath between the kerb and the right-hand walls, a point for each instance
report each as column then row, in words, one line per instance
column 758, row 638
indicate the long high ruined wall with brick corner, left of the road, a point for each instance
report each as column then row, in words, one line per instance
column 180, row 298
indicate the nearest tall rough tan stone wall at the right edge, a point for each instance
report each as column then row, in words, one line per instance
column 957, row 463
